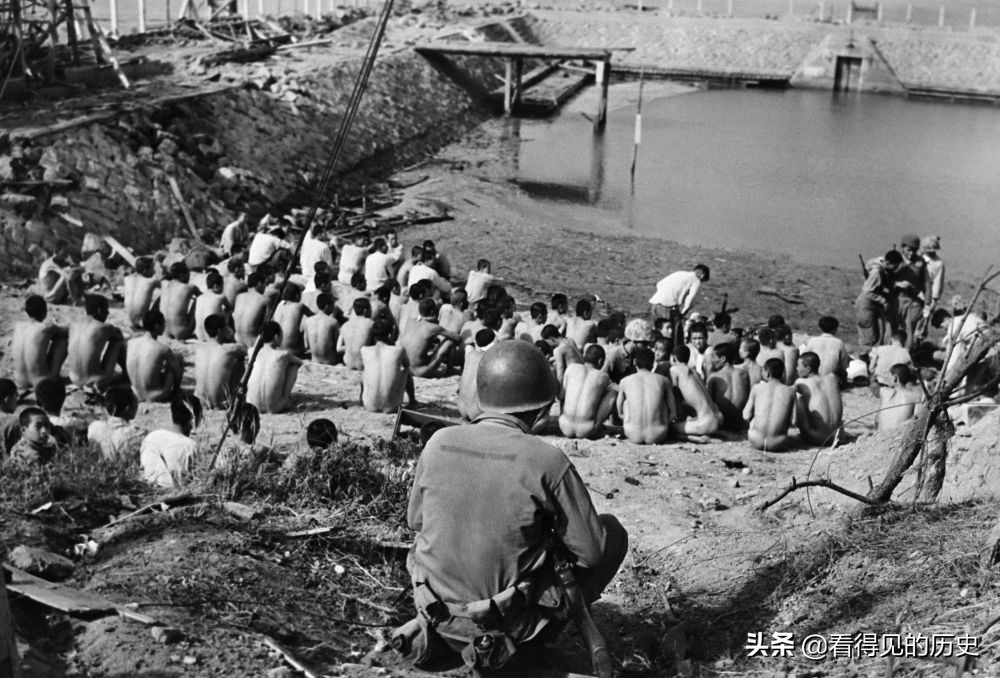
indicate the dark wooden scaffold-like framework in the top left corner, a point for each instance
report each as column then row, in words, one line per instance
column 39, row 38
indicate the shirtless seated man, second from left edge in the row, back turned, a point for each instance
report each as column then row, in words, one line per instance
column 95, row 347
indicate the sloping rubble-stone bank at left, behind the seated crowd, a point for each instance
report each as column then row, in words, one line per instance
column 236, row 149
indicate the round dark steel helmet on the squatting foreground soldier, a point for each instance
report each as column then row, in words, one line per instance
column 514, row 376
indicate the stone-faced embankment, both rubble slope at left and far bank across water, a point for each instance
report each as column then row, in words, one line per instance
column 264, row 142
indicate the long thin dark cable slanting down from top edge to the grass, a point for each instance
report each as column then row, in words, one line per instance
column 319, row 197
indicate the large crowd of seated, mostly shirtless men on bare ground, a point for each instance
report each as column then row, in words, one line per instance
column 673, row 377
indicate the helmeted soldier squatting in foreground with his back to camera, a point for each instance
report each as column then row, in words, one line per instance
column 490, row 504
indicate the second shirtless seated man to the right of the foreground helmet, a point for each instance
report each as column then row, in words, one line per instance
column 645, row 402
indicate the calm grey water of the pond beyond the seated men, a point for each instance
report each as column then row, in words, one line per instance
column 806, row 174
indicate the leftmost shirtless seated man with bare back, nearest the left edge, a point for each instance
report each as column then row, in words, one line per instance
column 38, row 348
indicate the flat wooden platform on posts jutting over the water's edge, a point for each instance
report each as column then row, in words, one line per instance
column 516, row 82
